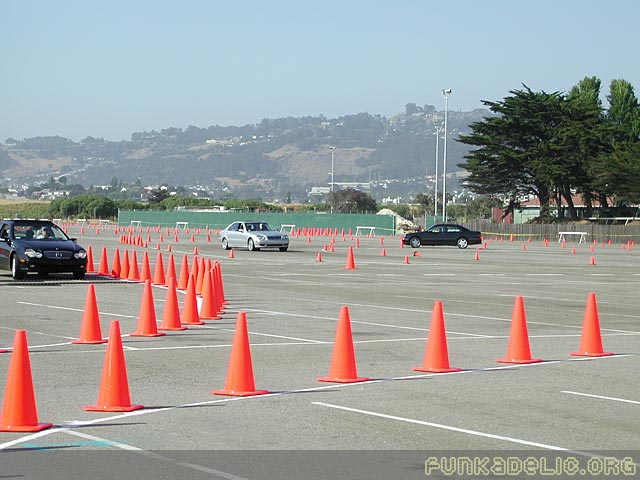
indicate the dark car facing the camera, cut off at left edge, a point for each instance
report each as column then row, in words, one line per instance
column 39, row 246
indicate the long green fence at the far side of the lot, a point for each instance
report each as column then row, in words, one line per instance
column 384, row 224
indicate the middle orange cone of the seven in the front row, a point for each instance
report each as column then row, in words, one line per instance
column 343, row 361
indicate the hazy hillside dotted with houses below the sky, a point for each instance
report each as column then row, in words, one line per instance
column 269, row 160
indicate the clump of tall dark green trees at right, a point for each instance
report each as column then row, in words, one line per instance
column 557, row 145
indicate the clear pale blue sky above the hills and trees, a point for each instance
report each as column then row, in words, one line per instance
column 78, row 68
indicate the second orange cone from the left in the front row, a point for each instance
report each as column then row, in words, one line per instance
column 113, row 393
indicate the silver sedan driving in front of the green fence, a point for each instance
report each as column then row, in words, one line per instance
column 253, row 236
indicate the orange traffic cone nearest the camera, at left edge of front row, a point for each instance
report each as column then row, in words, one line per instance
column 19, row 404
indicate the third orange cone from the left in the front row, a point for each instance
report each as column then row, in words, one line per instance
column 239, row 381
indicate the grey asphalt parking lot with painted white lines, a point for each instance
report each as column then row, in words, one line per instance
column 581, row 407
